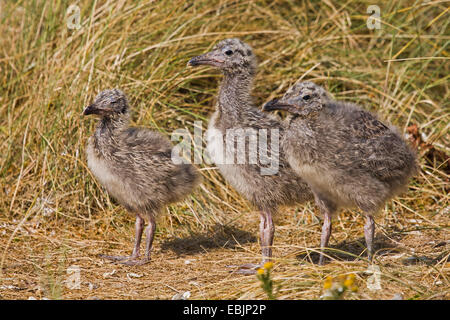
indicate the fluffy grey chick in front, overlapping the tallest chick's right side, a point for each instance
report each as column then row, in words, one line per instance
column 348, row 157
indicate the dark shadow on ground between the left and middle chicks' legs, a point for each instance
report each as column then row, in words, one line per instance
column 220, row 237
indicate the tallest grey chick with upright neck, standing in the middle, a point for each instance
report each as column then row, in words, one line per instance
column 236, row 112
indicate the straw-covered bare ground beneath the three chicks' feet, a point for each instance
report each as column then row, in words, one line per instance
column 412, row 260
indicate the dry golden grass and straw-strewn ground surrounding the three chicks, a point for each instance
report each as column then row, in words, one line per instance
column 54, row 215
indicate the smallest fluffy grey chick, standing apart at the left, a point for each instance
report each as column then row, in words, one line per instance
column 135, row 167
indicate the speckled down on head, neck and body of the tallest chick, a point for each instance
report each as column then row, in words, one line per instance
column 235, row 110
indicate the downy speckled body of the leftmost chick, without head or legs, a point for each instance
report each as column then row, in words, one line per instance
column 135, row 167
